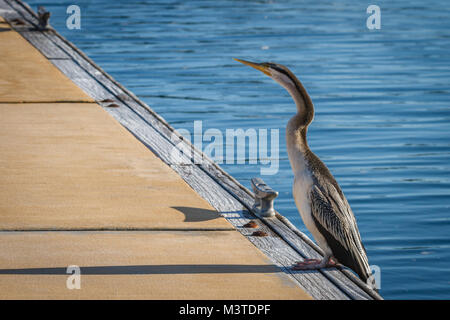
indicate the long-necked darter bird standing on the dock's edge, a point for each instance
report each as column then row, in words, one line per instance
column 322, row 205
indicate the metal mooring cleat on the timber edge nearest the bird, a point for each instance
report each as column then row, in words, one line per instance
column 264, row 197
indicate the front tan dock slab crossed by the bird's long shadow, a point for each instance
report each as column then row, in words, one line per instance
column 191, row 266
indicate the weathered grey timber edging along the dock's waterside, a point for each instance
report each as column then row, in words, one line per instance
column 284, row 244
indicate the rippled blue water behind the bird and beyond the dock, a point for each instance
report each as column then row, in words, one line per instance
column 382, row 101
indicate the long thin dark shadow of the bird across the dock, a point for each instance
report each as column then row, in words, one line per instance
column 150, row 269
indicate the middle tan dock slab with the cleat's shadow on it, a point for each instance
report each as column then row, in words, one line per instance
column 73, row 166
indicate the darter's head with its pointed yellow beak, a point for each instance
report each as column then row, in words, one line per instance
column 277, row 72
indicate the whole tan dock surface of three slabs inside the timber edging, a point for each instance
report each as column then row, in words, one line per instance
column 77, row 188
